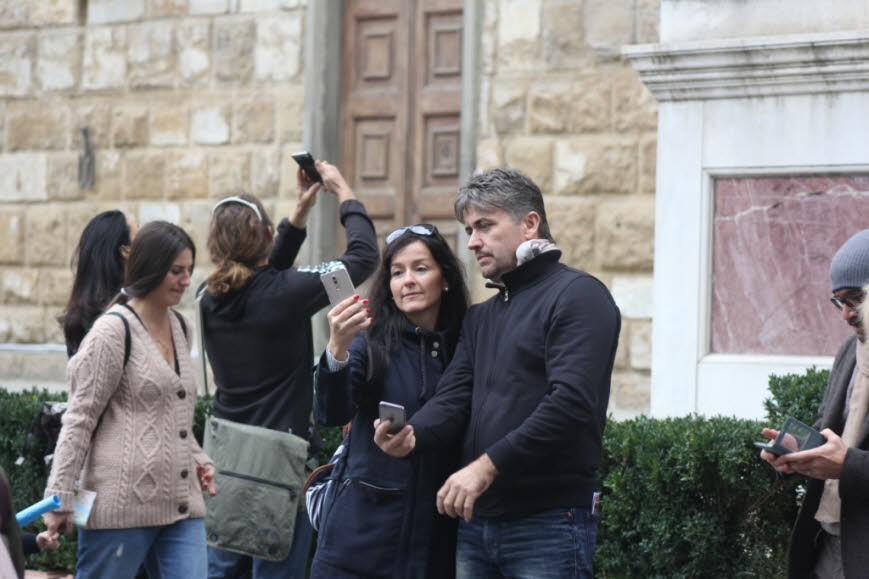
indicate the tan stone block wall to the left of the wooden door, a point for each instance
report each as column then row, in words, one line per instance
column 185, row 101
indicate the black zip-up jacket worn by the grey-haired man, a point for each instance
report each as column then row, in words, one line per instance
column 531, row 380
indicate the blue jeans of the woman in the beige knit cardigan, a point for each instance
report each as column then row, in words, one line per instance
column 168, row 551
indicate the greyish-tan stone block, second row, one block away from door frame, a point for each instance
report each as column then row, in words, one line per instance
column 234, row 42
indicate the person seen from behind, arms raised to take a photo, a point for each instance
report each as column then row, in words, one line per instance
column 257, row 326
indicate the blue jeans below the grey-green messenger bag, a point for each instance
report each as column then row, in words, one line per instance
column 228, row 565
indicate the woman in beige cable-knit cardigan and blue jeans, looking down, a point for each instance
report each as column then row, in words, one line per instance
column 127, row 433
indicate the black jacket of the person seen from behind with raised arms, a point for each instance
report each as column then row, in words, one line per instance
column 259, row 338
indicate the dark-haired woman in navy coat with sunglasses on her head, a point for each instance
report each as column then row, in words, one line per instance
column 383, row 521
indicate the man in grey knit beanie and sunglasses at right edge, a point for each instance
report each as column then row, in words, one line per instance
column 829, row 536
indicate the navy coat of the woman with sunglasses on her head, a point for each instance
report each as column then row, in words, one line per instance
column 384, row 522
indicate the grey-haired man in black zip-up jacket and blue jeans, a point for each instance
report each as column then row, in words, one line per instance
column 527, row 389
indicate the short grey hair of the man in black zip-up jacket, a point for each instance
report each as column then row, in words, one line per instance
column 506, row 189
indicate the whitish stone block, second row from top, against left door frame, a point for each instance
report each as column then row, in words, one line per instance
column 278, row 47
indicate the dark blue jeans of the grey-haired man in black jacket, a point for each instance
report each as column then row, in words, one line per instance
column 556, row 544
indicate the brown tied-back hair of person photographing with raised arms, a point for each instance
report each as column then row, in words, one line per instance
column 237, row 241
